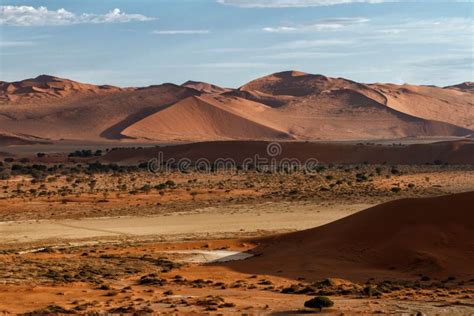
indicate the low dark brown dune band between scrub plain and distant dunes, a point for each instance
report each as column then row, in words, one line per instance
column 455, row 152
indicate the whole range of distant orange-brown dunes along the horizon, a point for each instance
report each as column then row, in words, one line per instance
column 283, row 106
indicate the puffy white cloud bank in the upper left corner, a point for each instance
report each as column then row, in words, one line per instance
column 41, row 16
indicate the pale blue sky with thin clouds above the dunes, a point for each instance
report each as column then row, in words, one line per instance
column 230, row 42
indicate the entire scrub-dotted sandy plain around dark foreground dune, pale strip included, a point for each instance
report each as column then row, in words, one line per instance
column 109, row 250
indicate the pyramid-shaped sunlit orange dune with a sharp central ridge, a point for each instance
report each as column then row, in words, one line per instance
column 201, row 118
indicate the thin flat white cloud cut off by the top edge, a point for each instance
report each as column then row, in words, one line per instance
column 293, row 3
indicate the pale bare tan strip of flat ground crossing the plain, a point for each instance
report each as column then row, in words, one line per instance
column 207, row 222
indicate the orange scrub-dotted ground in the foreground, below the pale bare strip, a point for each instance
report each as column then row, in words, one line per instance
column 109, row 278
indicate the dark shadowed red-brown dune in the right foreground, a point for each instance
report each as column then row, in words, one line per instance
column 402, row 238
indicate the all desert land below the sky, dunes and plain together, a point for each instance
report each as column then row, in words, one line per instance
column 382, row 221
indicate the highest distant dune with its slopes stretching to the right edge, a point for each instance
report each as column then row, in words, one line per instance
column 333, row 100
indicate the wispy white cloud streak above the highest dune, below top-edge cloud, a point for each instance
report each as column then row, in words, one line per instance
column 322, row 25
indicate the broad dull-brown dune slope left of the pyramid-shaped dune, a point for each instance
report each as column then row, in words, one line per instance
column 86, row 116
